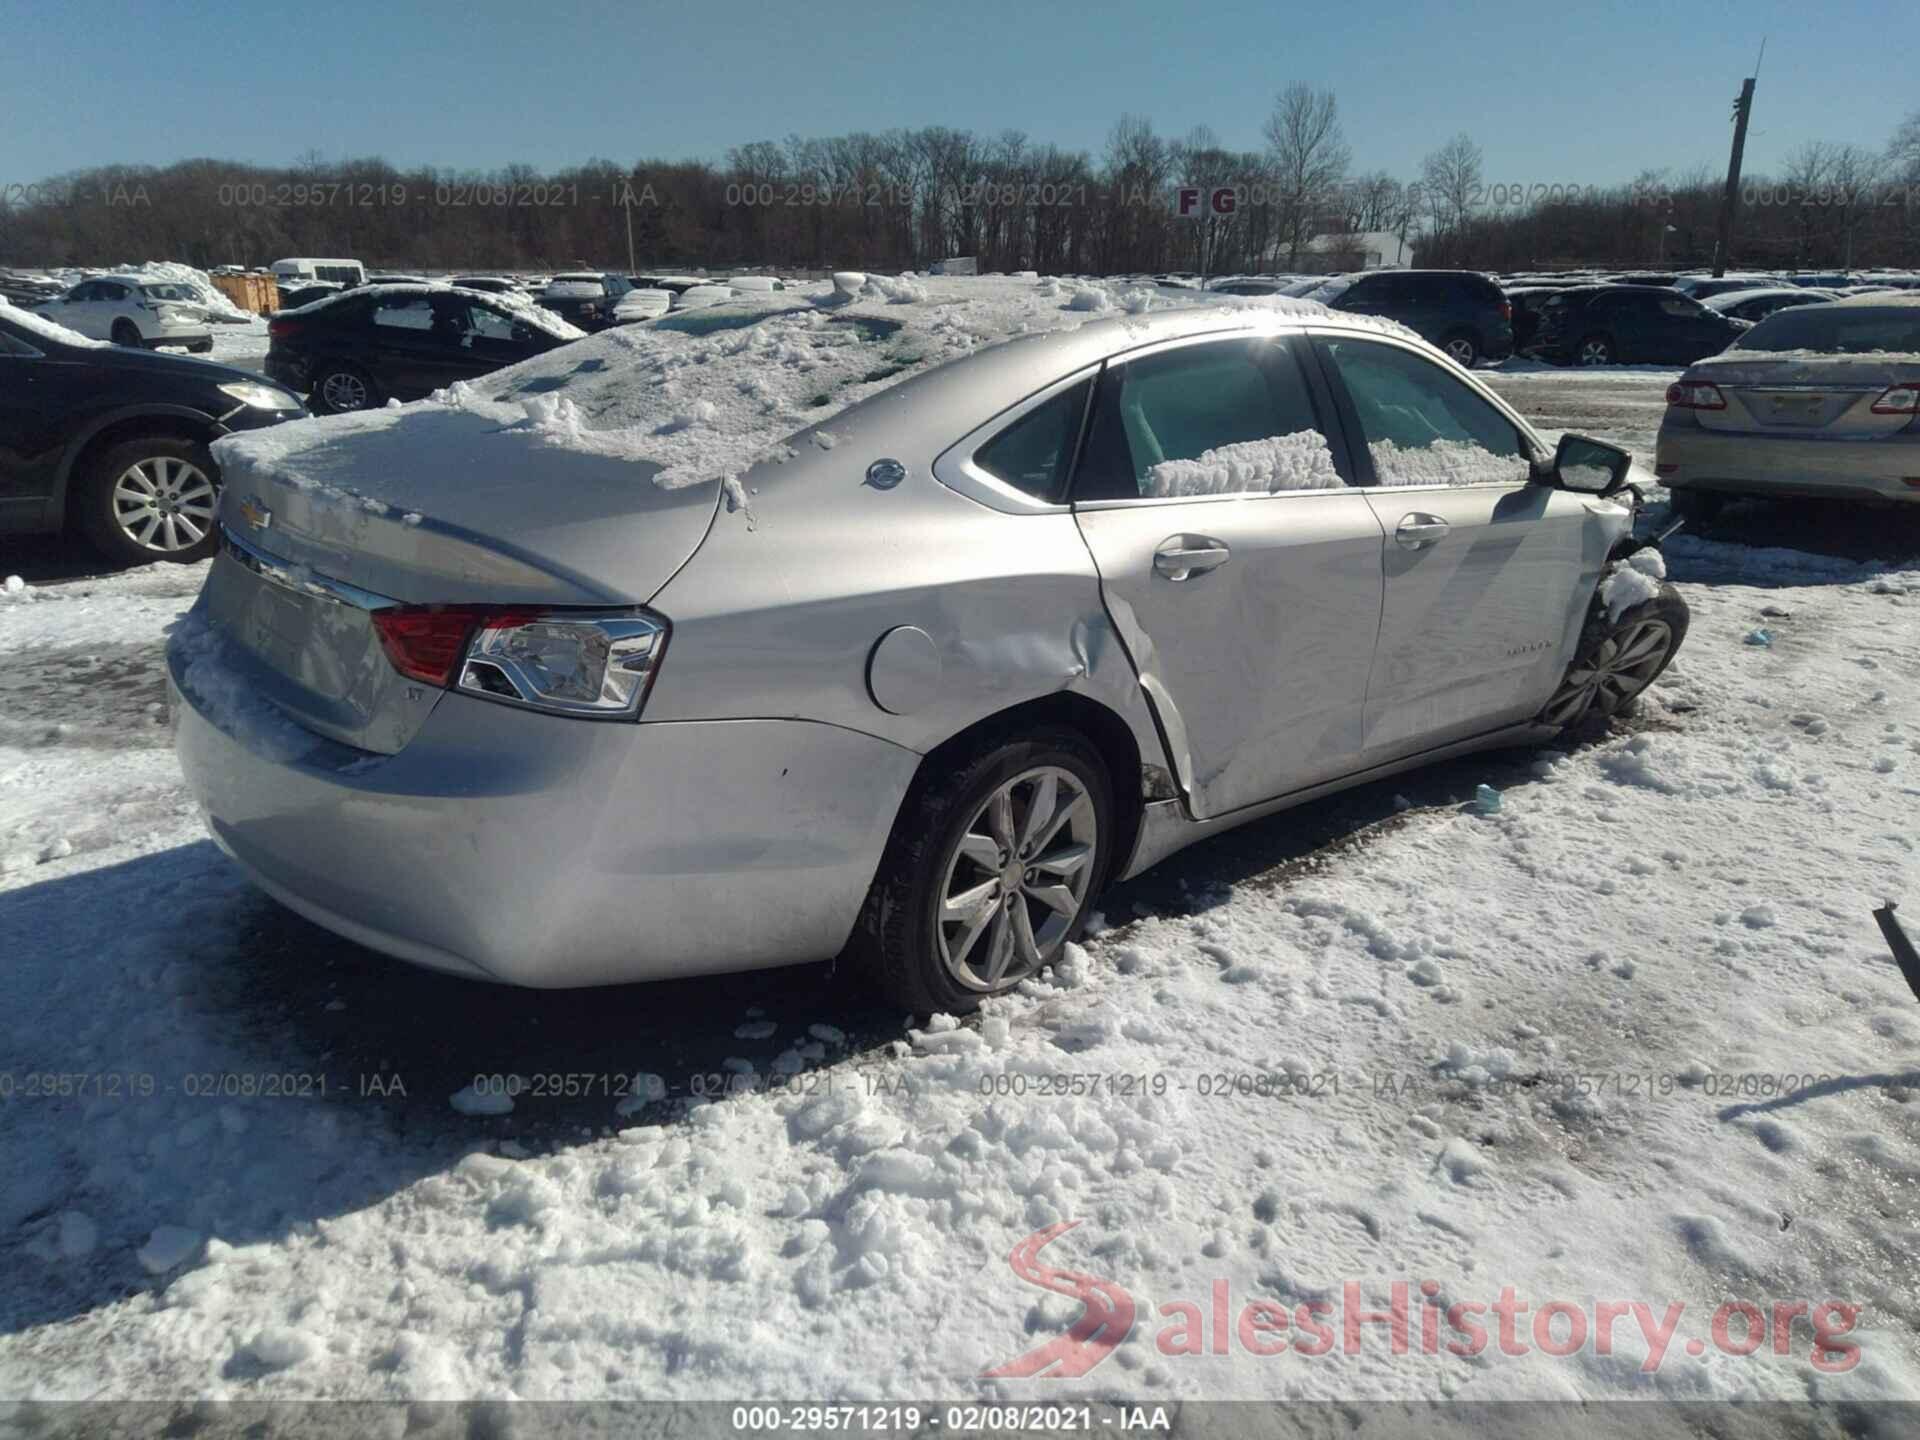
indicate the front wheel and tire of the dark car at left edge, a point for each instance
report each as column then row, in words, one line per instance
column 151, row 500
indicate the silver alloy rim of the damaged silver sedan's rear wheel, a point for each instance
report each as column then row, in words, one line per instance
column 1019, row 878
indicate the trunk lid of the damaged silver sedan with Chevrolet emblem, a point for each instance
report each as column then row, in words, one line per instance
column 335, row 519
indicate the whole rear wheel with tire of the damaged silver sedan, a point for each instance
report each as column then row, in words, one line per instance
column 990, row 873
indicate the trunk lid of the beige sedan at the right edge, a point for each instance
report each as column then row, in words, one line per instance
column 1815, row 396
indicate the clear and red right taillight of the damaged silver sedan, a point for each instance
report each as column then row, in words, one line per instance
column 567, row 661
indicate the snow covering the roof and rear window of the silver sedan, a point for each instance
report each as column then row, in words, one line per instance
column 706, row 395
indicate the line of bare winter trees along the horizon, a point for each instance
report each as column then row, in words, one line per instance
column 905, row 199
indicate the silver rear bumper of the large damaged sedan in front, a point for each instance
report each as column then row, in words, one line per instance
column 546, row 852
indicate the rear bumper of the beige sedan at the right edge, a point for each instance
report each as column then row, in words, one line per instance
column 1694, row 458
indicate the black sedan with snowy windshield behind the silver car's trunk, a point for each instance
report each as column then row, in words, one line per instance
column 368, row 347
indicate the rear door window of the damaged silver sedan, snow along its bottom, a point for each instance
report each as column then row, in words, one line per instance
column 1228, row 418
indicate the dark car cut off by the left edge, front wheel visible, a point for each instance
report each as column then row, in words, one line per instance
column 114, row 441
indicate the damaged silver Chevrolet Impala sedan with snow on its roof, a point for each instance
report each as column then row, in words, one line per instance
column 821, row 625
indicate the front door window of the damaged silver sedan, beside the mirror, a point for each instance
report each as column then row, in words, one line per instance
column 1424, row 427
